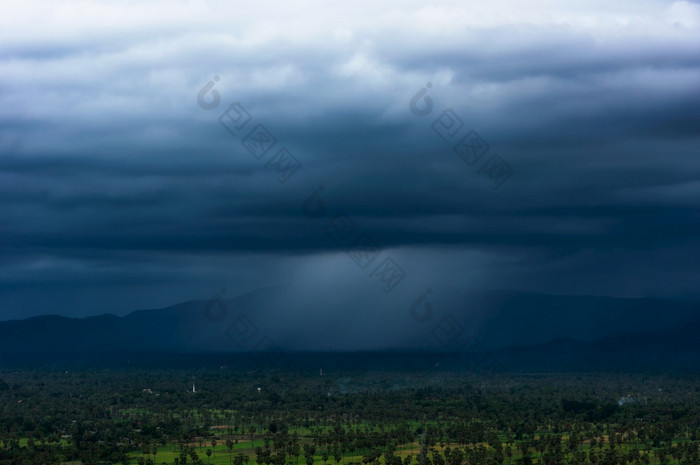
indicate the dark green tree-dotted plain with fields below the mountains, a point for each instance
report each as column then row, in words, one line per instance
column 348, row 418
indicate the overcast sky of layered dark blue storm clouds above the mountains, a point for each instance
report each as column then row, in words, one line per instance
column 121, row 189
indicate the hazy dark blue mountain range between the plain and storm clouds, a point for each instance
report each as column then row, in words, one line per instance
column 521, row 328
